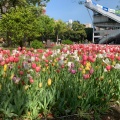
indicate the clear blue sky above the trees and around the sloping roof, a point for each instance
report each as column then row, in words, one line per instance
column 70, row 9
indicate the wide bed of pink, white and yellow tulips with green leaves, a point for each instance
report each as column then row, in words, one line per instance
column 76, row 79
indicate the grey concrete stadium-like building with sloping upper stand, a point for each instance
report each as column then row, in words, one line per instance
column 106, row 24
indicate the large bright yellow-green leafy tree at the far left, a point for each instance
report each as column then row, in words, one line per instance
column 19, row 23
